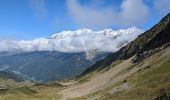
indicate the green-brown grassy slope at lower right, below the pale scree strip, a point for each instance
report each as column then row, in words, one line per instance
column 145, row 84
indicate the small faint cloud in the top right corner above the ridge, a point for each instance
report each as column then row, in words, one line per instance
column 163, row 6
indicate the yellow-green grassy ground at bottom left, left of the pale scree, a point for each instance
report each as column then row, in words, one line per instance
column 29, row 91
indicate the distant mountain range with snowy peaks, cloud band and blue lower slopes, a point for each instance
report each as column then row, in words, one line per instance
column 63, row 55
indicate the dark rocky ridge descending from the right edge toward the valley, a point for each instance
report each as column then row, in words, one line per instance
column 133, row 48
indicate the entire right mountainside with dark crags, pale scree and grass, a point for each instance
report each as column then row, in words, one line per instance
column 142, row 74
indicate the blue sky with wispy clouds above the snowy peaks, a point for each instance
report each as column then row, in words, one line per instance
column 29, row 19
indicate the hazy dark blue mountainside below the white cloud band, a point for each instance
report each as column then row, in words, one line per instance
column 48, row 66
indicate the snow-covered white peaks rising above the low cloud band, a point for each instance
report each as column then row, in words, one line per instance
column 106, row 32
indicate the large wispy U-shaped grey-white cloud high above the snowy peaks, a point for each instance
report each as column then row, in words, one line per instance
column 132, row 12
